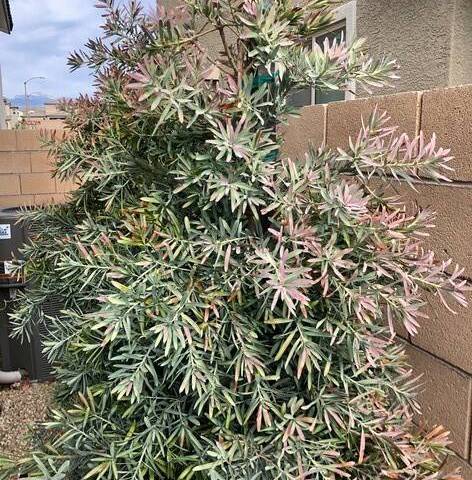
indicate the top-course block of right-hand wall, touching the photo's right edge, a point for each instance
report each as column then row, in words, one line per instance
column 448, row 113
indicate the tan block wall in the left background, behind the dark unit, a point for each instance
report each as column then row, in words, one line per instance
column 25, row 171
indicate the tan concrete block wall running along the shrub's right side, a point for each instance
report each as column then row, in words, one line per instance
column 442, row 350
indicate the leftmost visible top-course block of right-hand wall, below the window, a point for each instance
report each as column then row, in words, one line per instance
column 304, row 130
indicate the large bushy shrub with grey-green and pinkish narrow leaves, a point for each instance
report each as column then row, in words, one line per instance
column 229, row 312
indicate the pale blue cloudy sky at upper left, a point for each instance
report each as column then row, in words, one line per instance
column 44, row 33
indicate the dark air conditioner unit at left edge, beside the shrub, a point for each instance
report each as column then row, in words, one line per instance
column 14, row 354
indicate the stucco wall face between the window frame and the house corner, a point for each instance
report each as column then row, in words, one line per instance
column 417, row 34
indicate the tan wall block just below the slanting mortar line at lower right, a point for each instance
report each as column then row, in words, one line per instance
column 445, row 397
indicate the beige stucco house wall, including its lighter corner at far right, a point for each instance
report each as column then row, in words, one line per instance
column 431, row 39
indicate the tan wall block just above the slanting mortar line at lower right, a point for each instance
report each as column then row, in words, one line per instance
column 446, row 335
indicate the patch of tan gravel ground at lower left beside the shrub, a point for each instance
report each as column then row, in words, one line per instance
column 20, row 407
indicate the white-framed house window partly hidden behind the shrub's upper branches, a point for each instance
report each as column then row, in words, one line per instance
column 344, row 26
